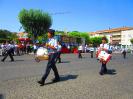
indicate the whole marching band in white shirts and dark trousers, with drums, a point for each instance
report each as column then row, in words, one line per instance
column 51, row 52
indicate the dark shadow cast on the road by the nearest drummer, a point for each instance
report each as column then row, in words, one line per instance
column 64, row 78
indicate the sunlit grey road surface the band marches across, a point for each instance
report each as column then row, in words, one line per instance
column 80, row 78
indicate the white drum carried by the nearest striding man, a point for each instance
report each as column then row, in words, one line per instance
column 41, row 54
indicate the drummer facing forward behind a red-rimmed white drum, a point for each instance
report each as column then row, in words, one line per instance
column 105, row 47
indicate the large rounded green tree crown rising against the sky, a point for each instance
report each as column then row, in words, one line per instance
column 35, row 22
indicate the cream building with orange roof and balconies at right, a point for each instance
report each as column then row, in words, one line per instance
column 117, row 36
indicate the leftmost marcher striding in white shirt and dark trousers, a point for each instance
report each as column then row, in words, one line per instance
column 9, row 50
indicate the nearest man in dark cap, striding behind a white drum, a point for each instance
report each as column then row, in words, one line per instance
column 52, row 50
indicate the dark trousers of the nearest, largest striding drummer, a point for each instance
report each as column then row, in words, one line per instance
column 51, row 65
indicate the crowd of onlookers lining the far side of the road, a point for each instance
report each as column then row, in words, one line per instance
column 27, row 48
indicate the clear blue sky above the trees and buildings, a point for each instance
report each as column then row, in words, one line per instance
column 71, row 15
